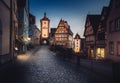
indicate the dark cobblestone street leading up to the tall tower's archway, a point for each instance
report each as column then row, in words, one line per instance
column 43, row 66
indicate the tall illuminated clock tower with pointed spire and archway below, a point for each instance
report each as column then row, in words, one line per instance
column 45, row 25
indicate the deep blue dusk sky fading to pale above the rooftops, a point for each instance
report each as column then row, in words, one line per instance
column 72, row 11
